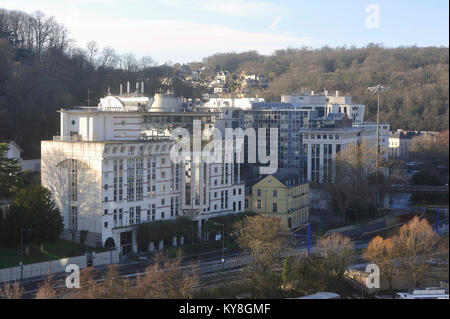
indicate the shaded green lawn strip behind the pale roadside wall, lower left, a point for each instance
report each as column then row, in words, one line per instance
column 9, row 257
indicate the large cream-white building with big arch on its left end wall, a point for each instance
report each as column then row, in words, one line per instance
column 110, row 170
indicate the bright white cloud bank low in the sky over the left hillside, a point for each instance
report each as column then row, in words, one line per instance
column 163, row 39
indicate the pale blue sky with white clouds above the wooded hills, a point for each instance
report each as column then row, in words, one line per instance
column 189, row 30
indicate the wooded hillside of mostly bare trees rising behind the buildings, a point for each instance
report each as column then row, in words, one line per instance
column 41, row 71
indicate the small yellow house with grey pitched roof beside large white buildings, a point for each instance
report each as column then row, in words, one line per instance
column 282, row 195
